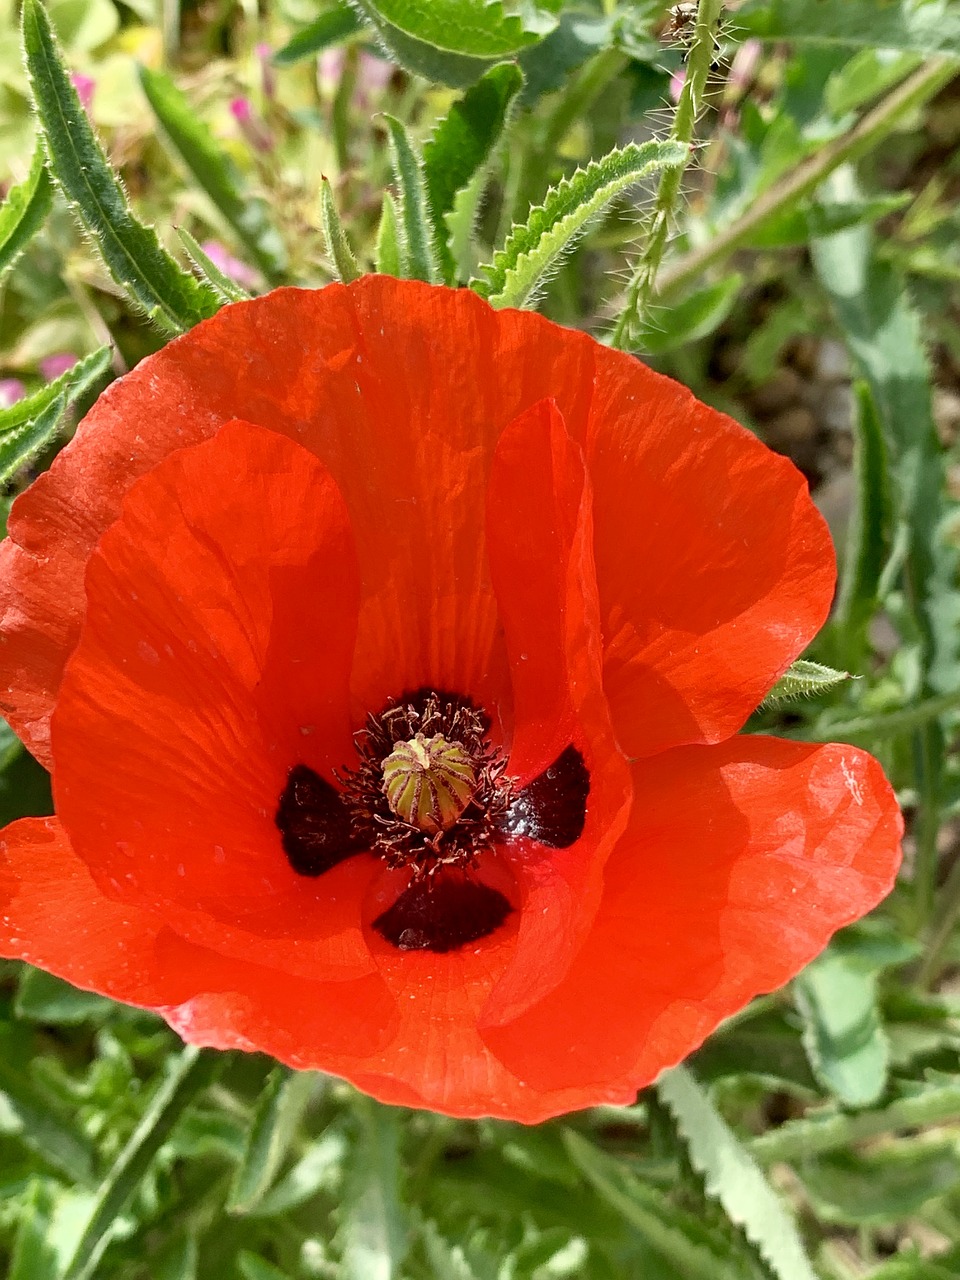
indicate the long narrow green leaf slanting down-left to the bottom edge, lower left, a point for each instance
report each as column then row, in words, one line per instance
column 191, row 1075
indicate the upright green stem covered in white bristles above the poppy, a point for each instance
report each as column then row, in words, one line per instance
column 661, row 220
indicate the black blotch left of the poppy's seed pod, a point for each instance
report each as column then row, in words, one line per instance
column 314, row 824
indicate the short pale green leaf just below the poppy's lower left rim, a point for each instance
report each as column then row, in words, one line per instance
column 280, row 1110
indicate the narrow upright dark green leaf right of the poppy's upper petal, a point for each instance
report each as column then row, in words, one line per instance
column 870, row 534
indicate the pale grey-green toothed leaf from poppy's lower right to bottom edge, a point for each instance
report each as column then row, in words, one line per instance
column 733, row 1177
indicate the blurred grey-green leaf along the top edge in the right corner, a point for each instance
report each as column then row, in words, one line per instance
column 927, row 29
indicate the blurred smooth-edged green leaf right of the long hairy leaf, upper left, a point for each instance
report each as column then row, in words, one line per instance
column 212, row 168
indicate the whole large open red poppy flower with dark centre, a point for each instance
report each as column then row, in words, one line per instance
column 386, row 651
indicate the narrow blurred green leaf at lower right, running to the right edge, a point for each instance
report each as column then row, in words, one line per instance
column 815, row 1135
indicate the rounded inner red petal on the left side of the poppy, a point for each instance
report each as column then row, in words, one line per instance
column 214, row 660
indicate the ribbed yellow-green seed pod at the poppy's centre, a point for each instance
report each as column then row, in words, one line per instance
column 429, row 783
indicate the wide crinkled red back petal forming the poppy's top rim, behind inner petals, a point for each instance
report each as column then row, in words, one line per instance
column 714, row 569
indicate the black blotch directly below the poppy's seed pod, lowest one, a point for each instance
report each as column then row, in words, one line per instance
column 442, row 915
